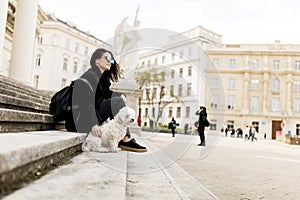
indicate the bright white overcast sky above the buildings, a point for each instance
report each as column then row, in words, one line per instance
column 238, row 21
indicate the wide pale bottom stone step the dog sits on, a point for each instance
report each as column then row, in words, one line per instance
column 123, row 175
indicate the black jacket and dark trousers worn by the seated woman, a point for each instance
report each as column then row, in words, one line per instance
column 93, row 107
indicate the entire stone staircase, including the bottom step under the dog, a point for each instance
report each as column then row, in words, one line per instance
column 39, row 162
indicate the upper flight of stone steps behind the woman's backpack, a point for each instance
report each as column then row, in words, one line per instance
column 24, row 108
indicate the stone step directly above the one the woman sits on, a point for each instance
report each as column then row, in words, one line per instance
column 20, row 121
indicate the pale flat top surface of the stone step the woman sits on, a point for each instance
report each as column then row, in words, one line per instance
column 18, row 149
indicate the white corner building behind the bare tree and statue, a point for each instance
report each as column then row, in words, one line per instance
column 181, row 90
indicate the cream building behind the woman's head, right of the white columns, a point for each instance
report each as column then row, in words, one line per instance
column 62, row 54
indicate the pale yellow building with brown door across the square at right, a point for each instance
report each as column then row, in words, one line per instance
column 261, row 83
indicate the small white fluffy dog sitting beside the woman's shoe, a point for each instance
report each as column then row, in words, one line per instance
column 112, row 132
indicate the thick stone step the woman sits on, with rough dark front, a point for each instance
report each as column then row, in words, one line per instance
column 27, row 155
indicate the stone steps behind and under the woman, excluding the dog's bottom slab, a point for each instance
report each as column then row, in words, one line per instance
column 30, row 142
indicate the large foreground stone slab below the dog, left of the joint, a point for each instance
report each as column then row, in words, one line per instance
column 87, row 176
